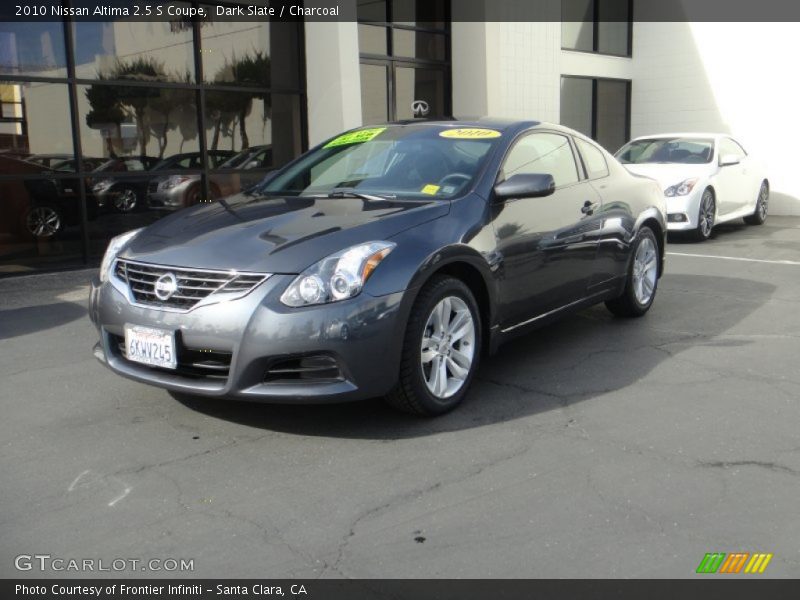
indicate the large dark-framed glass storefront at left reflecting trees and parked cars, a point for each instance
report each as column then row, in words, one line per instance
column 140, row 126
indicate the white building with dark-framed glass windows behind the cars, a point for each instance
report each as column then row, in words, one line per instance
column 168, row 114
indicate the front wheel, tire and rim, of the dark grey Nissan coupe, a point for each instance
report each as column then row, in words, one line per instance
column 441, row 349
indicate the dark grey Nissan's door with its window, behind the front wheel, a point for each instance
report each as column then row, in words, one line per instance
column 546, row 243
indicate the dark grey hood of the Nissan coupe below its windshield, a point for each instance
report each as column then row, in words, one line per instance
column 274, row 235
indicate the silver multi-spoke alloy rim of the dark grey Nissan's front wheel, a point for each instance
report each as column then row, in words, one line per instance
column 448, row 347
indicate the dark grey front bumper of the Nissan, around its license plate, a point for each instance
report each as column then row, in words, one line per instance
column 362, row 335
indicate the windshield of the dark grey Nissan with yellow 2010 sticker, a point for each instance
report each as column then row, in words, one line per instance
column 410, row 160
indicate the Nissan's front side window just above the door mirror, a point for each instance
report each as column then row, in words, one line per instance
column 543, row 153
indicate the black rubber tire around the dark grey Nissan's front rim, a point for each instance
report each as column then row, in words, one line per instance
column 412, row 394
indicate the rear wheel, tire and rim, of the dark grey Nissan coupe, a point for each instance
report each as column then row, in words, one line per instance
column 642, row 281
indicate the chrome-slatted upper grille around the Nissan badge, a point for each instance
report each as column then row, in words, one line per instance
column 193, row 285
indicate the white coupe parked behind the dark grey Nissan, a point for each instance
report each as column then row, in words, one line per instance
column 707, row 178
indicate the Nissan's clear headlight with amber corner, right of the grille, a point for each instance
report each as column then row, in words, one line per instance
column 337, row 277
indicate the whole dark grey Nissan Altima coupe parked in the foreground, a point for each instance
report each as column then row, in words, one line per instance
column 383, row 262
